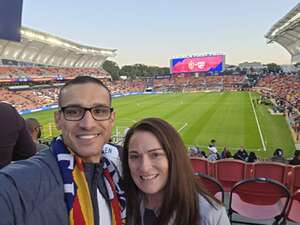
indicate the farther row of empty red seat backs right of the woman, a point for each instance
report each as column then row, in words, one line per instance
column 229, row 171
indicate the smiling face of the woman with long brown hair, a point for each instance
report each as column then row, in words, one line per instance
column 148, row 163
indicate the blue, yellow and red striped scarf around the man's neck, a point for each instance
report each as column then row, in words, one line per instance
column 76, row 190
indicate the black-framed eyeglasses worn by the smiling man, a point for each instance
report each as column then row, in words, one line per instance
column 76, row 113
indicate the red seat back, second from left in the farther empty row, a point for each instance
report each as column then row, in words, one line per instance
column 228, row 172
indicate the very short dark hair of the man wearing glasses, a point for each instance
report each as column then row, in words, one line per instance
column 82, row 80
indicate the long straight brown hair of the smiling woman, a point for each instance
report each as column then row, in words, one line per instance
column 180, row 201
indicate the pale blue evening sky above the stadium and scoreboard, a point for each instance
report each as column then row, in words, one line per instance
column 152, row 32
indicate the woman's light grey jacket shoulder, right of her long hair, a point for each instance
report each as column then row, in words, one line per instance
column 211, row 212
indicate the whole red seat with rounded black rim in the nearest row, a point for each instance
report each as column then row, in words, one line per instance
column 259, row 199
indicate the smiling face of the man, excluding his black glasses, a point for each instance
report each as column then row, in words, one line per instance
column 87, row 136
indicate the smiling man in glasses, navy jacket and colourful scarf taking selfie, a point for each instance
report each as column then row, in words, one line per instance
column 71, row 183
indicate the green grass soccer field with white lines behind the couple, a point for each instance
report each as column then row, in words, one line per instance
column 228, row 117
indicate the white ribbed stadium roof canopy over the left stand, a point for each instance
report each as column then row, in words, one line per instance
column 46, row 49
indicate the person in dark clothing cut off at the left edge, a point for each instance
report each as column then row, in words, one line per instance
column 15, row 141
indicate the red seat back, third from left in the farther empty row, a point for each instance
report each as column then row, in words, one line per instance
column 273, row 170
